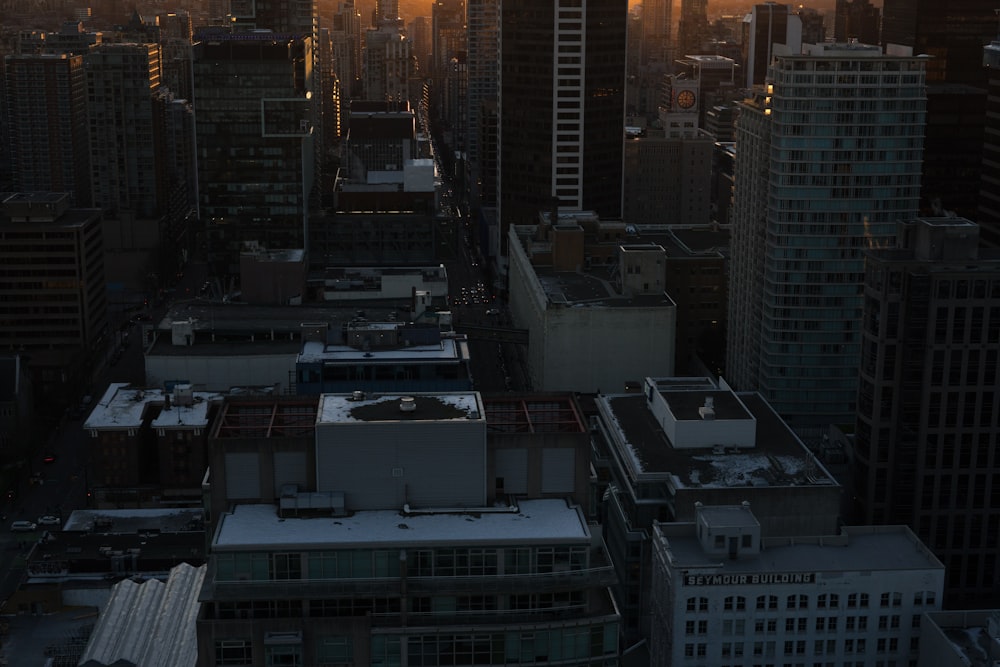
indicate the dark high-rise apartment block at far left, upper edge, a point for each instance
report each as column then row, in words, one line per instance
column 47, row 103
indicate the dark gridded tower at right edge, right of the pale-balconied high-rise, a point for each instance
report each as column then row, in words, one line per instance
column 928, row 419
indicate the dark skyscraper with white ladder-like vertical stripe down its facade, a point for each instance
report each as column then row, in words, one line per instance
column 562, row 79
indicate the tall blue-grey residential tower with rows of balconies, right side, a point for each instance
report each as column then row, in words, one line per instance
column 828, row 159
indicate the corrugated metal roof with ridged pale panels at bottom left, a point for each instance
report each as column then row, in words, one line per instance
column 150, row 624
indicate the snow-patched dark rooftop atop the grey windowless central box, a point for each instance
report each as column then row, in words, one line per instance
column 361, row 407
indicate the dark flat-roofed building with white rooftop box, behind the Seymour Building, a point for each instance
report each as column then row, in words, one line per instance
column 677, row 443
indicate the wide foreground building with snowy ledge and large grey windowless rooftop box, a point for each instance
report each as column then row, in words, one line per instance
column 389, row 554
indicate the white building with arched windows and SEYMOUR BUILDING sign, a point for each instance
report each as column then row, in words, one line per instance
column 726, row 595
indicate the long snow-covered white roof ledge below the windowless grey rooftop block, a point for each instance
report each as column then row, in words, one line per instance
column 532, row 522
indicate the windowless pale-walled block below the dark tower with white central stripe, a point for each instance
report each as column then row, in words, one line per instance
column 605, row 302
